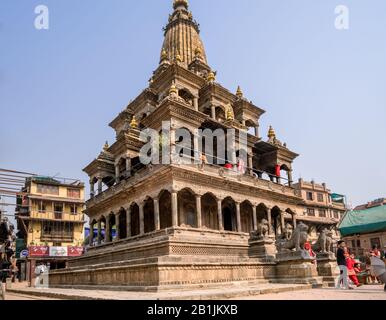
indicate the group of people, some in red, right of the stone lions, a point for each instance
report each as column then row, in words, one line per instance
column 351, row 269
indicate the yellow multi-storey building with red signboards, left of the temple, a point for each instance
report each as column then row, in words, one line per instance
column 50, row 219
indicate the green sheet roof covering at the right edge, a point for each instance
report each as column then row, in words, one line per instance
column 364, row 221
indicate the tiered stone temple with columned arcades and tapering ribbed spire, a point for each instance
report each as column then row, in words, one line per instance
column 186, row 225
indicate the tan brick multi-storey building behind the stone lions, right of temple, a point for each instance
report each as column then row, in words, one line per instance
column 322, row 208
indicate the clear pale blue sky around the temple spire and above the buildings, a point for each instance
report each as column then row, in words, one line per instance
column 323, row 89
